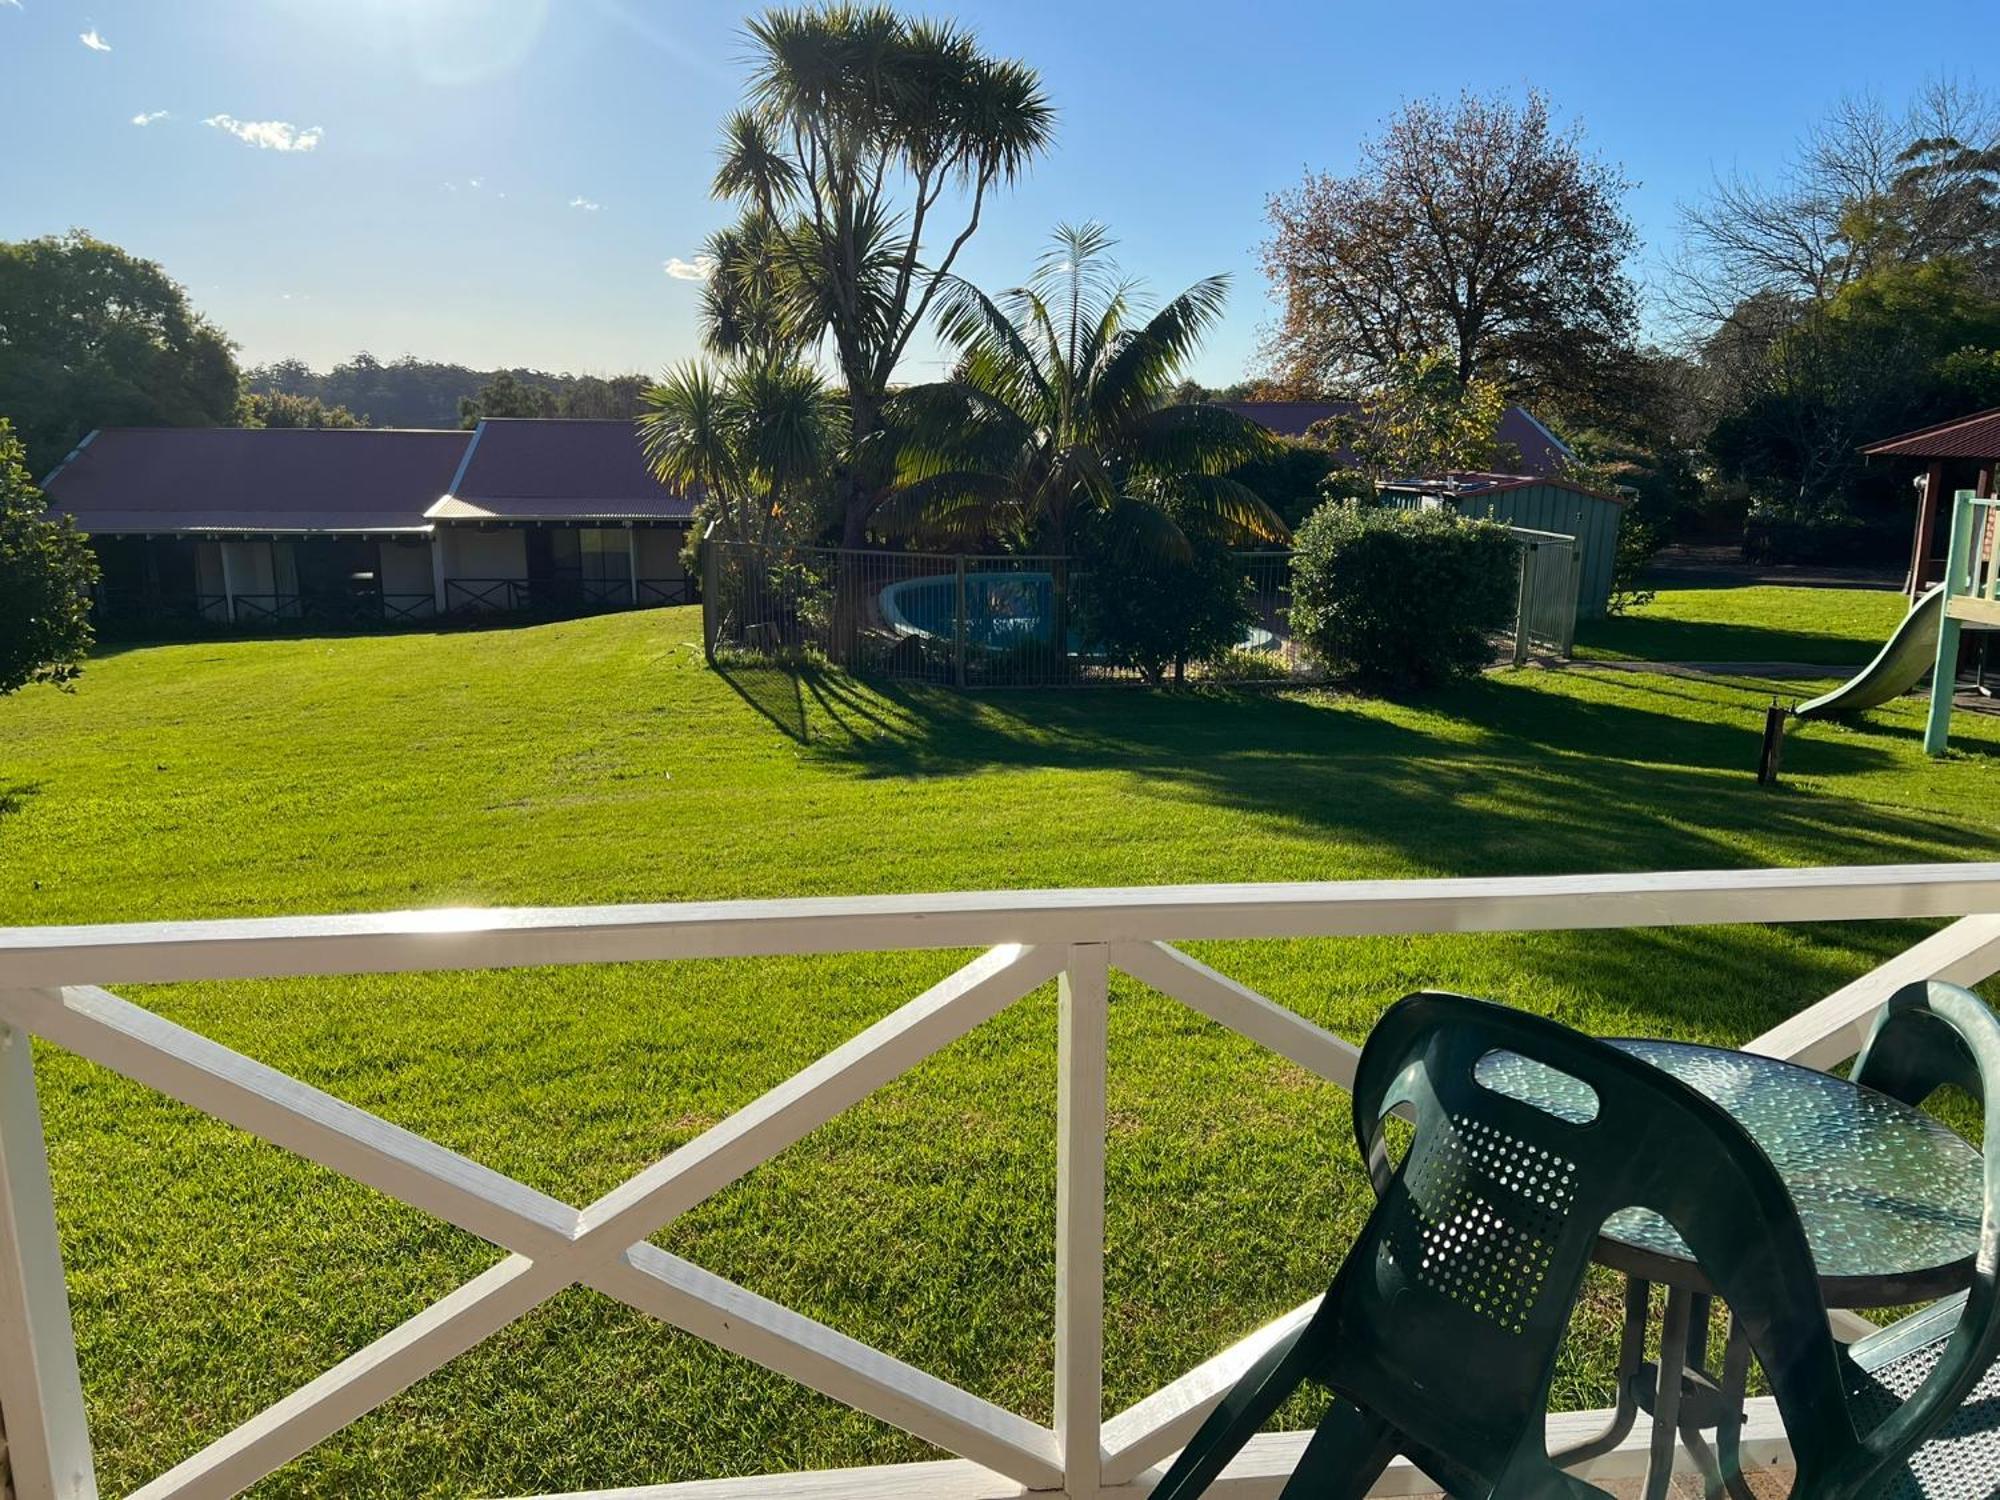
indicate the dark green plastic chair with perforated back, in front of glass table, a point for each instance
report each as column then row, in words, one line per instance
column 1441, row 1331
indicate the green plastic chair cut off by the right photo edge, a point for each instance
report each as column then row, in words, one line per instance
column 1937, row 1373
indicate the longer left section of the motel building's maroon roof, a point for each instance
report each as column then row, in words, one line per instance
column 255, row 479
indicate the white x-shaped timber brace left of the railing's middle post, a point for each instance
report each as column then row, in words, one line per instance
column 551, row 1243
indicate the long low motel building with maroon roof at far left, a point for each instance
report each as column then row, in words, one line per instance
column 305, row 527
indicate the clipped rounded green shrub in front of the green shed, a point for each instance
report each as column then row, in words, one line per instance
column 1403, row 599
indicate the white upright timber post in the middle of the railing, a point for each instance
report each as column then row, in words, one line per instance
column 1081, row 1067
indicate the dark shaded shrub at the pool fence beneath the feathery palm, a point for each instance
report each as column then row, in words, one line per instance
column 1161, row 613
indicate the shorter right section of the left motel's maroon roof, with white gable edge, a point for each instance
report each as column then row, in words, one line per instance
column 531, row 469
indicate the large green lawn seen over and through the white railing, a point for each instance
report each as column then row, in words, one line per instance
column 601, row 763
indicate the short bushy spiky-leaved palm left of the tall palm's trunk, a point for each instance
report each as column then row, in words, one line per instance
column 753, row 445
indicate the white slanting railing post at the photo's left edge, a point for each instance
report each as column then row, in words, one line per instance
column 41, row 1395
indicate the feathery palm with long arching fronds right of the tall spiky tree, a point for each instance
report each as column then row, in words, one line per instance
column 1061, row 413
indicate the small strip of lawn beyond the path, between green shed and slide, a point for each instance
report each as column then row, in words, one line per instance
column 1823, row 627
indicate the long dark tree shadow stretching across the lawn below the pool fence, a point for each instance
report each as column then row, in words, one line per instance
column 1485, row 779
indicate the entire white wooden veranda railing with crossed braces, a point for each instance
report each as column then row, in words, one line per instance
column 49, row 989
